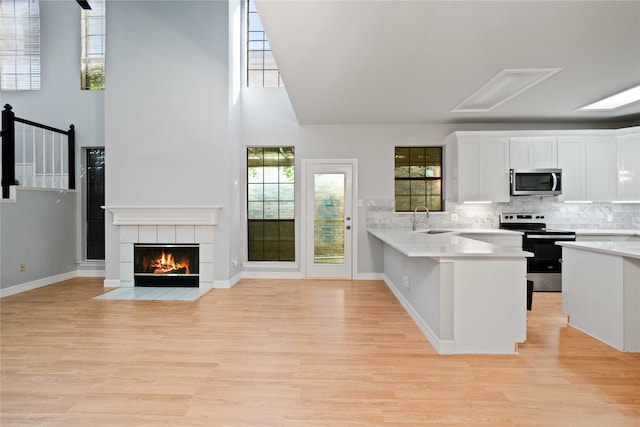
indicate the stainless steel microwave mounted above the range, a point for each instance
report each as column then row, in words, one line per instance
column 536, row 182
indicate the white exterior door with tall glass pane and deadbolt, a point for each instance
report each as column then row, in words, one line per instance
column 329, row 220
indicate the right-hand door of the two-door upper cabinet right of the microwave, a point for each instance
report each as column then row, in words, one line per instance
column 600, row 169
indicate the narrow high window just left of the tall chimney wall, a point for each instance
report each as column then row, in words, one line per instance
column 92, row 37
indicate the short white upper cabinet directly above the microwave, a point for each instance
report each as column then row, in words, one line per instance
column 533, row 152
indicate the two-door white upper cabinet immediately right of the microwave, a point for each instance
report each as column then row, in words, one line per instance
column 588, row 168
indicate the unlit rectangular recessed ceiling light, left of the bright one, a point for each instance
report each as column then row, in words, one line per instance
column 502, row 87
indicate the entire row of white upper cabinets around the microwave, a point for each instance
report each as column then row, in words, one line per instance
column 597, row 165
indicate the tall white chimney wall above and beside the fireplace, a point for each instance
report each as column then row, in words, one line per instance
column 167, row 112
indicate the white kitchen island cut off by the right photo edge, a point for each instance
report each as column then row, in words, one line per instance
column 601, row 291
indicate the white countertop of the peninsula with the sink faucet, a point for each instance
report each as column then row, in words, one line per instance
column 421, row 244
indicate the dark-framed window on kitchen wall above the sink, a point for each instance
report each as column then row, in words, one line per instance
column 418, row 178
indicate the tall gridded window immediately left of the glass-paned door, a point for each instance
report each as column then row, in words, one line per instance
column 270, row 204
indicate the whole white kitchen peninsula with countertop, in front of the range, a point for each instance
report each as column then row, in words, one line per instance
column 466, row 296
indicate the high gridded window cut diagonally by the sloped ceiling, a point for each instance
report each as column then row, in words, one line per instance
column 262, row 70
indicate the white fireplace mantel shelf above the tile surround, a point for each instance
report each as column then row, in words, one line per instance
column 164, row 215
